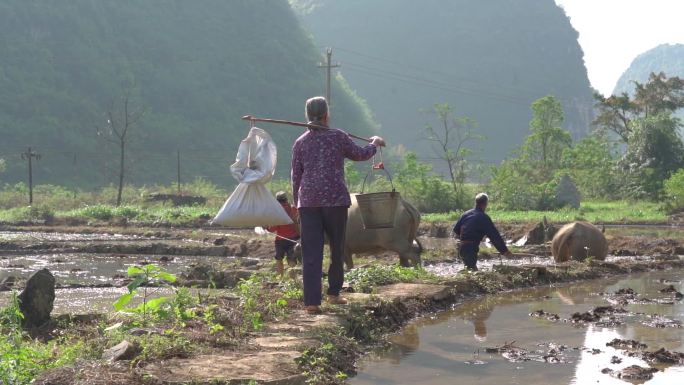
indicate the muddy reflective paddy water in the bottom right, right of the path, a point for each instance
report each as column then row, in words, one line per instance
column 450, row 347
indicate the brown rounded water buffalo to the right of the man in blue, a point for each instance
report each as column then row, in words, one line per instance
column 579, row 240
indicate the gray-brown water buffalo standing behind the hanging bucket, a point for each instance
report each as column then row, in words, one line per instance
column 401, row 238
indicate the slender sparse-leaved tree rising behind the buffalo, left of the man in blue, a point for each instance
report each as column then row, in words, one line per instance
column 450, row 141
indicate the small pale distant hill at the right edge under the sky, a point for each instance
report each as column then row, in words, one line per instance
column 668, row 58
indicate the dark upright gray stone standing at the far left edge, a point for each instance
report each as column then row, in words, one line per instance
column 37, row 299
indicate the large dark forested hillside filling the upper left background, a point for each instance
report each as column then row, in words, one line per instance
column 196, row 67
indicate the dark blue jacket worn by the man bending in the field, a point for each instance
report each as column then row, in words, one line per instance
column 472, row 227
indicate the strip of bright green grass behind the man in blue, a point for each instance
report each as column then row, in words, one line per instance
column 607, row 212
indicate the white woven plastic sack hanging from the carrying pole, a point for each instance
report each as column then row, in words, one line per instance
column 252, row 204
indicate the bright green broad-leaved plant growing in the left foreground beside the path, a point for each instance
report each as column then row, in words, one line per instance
column 143, row 277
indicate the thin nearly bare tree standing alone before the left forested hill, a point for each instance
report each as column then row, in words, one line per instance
column 121, row 119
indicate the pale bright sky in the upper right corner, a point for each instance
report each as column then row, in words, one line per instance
column 639, row 24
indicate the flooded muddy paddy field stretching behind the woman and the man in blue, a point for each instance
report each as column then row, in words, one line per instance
column 84, row 258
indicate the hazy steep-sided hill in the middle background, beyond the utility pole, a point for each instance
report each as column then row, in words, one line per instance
column 488, row 59
